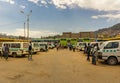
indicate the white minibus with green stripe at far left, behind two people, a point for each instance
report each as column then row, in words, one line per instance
column 16, row 48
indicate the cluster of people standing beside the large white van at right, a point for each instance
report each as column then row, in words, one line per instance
column 91, row 50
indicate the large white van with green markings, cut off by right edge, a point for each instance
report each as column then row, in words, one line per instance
column 110, row 52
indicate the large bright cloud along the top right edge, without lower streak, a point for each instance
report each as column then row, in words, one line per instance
column 101, row 5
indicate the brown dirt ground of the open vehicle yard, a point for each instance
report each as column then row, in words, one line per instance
column 61, row 66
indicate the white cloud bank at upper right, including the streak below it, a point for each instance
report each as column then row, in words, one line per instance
column 110, row 7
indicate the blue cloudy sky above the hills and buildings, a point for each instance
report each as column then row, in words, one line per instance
column 51, row 17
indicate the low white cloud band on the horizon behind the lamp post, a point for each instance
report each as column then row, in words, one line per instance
column 34, row 34
